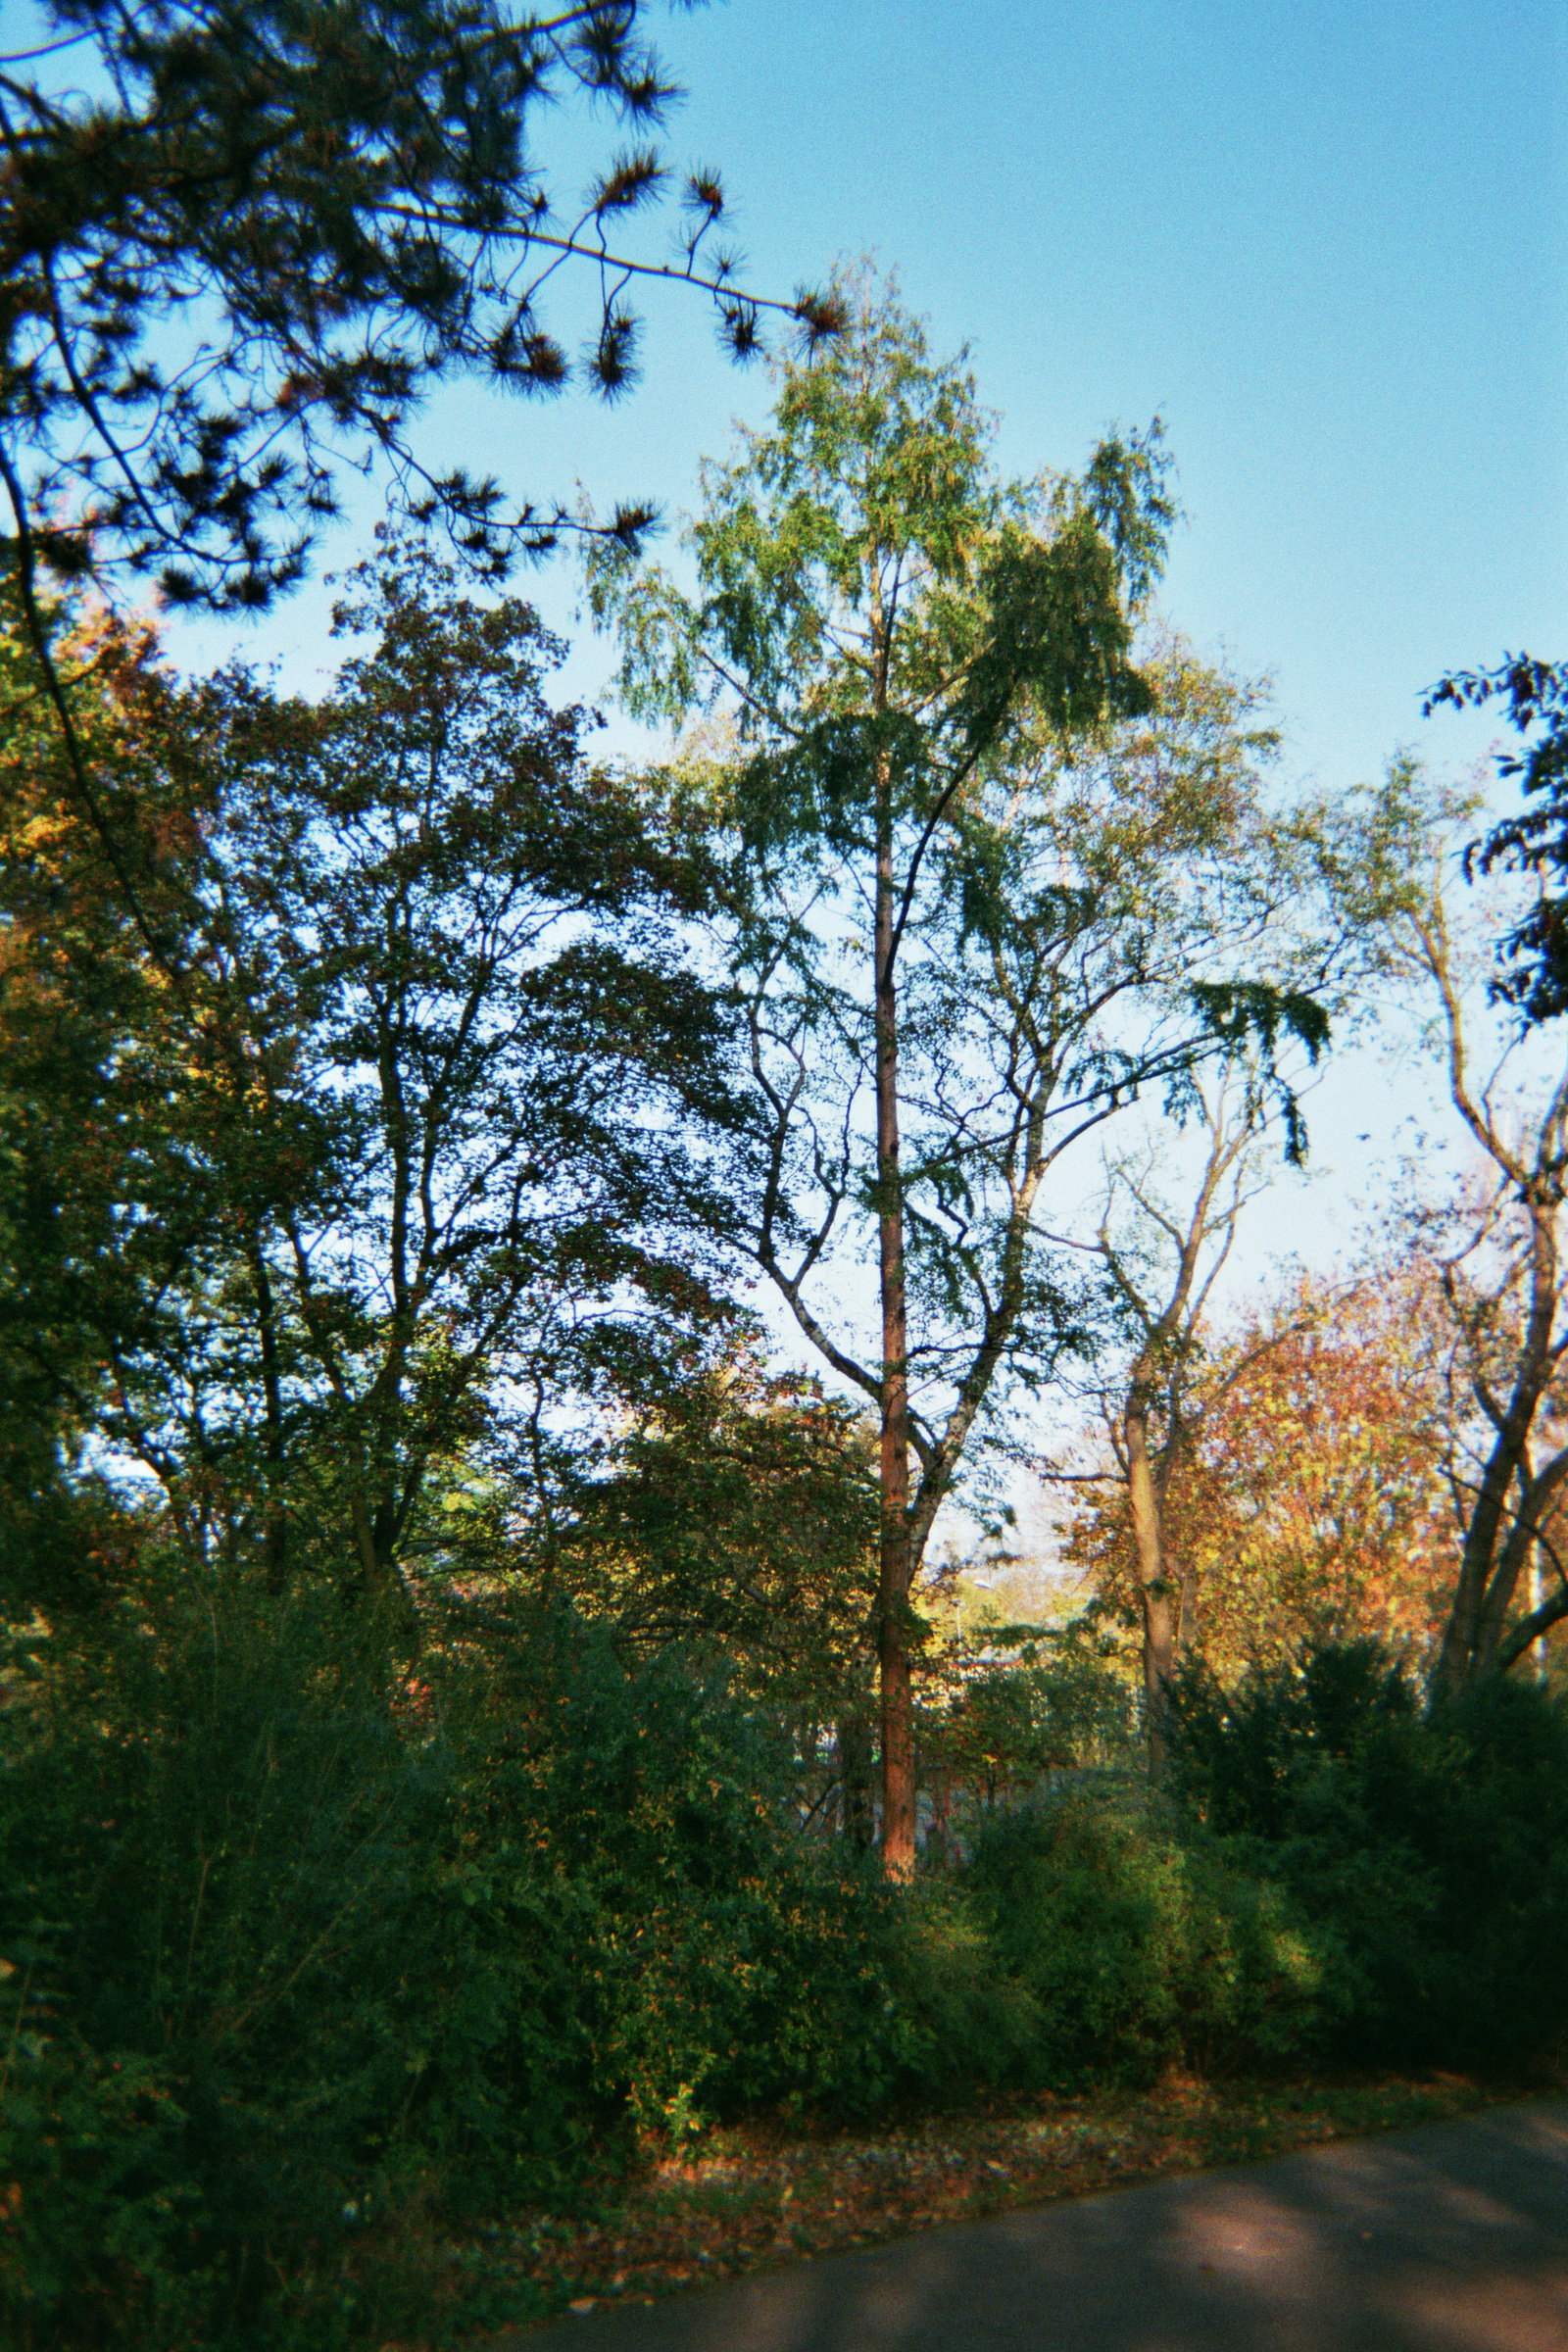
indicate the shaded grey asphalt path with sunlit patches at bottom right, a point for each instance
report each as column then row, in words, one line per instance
column 1452, row 2238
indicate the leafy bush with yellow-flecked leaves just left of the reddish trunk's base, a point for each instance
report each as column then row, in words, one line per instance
column 725, row 1958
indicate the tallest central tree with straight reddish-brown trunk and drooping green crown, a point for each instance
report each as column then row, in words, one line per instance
column 991, row 881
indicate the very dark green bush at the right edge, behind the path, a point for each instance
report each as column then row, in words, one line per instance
column 1430, row 1850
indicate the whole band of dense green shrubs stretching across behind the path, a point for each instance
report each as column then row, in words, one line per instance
column 309, row 1953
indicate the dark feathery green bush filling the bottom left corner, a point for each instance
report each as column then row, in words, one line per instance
column 222, row 1890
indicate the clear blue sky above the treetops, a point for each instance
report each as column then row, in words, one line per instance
column 1327, row 243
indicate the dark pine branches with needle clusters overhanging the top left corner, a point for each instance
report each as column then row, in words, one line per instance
column 243, row 239
